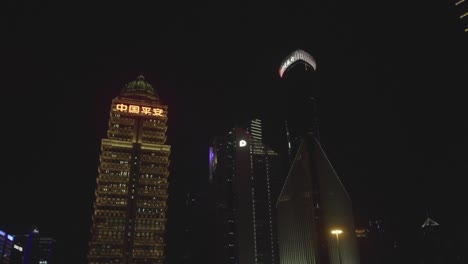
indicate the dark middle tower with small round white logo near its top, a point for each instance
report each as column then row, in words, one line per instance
column 242, row 173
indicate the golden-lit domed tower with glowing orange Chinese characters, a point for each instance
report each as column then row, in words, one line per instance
column 128, row 223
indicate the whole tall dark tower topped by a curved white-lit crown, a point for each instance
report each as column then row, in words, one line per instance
column 315, row 215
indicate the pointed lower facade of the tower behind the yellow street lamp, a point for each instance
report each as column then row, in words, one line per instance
column 315, row 216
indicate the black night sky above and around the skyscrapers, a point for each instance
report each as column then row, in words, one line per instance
column 391, row 77
